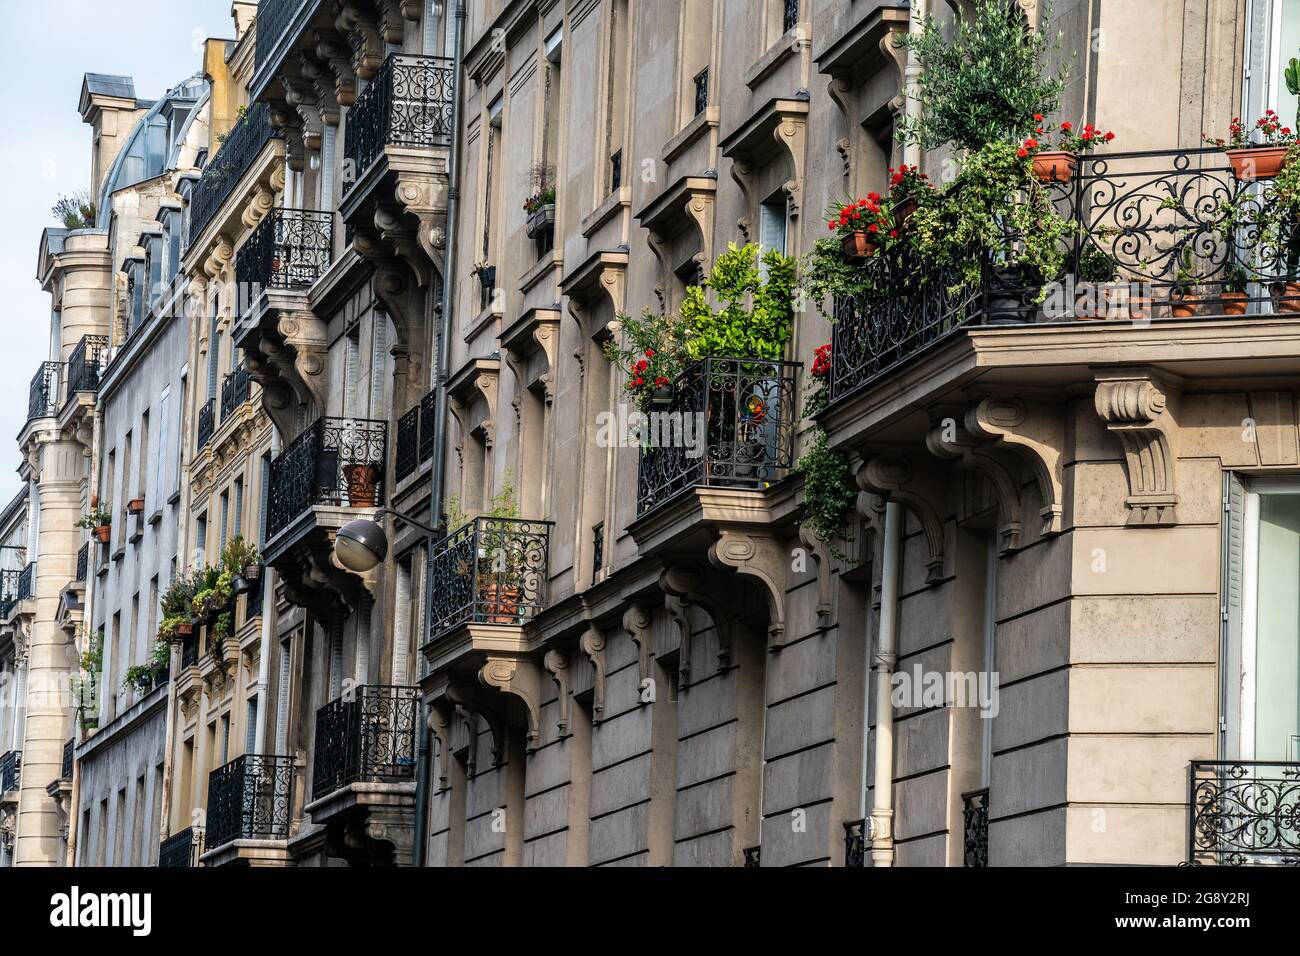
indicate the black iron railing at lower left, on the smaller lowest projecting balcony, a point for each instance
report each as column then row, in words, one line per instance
column 250, row 799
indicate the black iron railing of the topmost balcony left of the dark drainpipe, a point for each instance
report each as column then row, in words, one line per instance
column 406, row 103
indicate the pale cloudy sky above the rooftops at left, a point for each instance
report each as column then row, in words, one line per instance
column 45, row 148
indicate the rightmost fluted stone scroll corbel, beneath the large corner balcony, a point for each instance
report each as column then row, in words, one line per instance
column 1136, row 408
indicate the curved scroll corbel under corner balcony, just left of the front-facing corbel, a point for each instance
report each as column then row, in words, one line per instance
column 1038, row 436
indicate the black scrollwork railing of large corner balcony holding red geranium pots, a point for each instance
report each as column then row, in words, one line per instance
column 1159, row 218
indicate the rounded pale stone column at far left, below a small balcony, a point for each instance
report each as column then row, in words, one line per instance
column 50, row 655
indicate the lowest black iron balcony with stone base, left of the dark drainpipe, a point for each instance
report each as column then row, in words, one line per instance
column 363, row 775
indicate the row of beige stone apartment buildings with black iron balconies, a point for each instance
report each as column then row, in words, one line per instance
column 374, row 279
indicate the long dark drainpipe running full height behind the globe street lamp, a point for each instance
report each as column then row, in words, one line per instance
column 424, row 755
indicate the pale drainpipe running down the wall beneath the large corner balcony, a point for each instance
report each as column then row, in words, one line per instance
column 882, row 804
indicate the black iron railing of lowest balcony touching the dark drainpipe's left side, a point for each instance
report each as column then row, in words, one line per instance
column 366, row 738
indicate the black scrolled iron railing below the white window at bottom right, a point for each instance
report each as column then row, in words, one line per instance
column 1243, row 814
